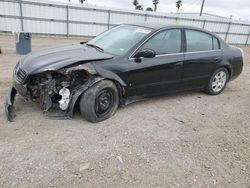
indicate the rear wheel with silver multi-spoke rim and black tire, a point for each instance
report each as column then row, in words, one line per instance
column 217, row 82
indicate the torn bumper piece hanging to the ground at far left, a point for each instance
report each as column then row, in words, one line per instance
column 9, row 104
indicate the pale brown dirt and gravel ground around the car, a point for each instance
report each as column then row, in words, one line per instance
column 182, row 140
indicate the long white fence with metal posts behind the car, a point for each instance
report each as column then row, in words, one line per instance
column 55, row 18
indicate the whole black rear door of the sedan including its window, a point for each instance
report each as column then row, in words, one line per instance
column 201, row 55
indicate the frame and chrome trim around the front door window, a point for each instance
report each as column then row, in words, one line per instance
column 154, row 34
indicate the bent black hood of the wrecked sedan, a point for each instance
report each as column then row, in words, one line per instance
column 59, row 57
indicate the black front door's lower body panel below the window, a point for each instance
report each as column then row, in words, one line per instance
column 142, row 76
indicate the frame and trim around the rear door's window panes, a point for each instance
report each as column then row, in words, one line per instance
column 212, row 36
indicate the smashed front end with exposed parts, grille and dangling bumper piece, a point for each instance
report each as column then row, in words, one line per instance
column 55, row 91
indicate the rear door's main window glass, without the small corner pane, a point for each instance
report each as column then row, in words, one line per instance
column 198, row 41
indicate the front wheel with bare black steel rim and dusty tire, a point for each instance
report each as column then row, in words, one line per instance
column 100, row 101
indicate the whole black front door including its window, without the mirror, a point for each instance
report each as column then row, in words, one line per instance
column 163, row 73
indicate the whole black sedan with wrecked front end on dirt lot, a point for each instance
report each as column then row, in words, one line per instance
column 124, row 64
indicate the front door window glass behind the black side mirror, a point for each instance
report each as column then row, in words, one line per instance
column 166, row 42
